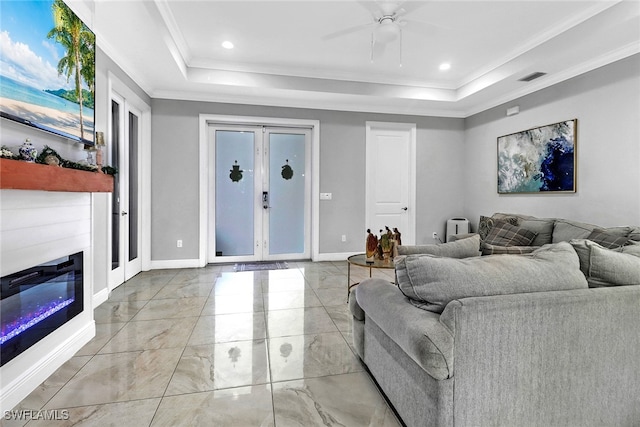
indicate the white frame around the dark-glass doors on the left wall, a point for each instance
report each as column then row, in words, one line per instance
column 121, row 91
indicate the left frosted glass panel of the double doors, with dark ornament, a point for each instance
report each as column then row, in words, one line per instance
column 234, row 193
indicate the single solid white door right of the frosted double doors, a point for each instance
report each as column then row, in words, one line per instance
column 390, row 178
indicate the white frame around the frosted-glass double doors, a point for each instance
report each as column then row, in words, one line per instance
column 205, row 120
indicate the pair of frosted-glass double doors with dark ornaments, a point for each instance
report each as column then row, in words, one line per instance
column 259, row 186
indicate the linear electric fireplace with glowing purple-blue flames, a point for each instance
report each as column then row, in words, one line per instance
column 36, row 301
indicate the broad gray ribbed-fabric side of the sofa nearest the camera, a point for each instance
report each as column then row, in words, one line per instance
column 571, row 347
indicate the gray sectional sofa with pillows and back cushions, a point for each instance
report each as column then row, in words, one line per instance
column 549, row 338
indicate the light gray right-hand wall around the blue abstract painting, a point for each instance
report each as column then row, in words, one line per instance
column 606, row 103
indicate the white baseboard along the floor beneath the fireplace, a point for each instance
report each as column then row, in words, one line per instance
column 14, row 392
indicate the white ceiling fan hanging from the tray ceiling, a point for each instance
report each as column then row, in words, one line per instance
column 386, row 27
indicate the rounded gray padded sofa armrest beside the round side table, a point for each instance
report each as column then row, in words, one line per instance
column 418, row 332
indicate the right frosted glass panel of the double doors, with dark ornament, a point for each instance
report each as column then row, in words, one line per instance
column 287, row 193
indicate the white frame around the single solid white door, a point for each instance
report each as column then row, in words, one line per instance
column 408, row 236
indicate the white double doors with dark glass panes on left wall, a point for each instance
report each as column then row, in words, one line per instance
column 125, row 127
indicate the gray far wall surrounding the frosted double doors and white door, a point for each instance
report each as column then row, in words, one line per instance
column 175, row 179
